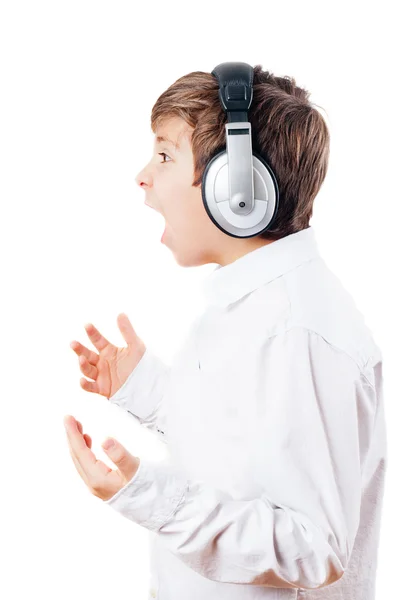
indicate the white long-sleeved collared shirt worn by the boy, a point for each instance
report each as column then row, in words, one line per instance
column 273, row 414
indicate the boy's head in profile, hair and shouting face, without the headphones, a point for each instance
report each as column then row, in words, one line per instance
column 286, row 130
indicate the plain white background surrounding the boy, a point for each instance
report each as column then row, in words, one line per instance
column 78, row 81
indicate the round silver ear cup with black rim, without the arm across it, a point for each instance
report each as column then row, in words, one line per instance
column 215, row 196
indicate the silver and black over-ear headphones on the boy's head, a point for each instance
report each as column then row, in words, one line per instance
column 239, row 189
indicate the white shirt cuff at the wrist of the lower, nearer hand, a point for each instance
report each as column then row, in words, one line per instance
column 152, row 496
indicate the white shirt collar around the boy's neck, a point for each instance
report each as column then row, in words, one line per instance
column 228, row 283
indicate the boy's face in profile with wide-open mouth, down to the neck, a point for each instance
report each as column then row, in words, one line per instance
column 167, row 181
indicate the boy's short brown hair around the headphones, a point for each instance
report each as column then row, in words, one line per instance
column 287, row 131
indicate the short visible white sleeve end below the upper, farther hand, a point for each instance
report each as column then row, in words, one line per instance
column 143, row 391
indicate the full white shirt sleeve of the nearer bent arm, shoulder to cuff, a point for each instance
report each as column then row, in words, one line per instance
column 300, row 531
